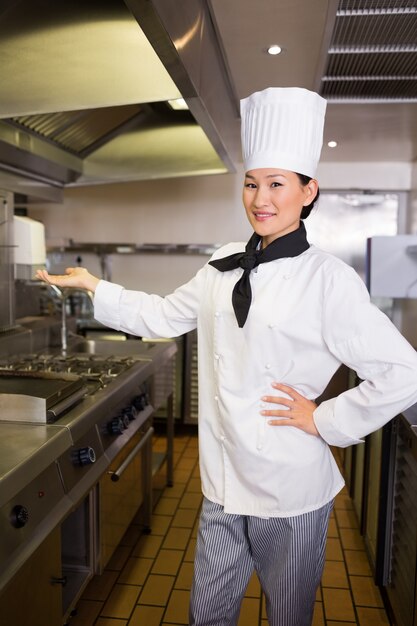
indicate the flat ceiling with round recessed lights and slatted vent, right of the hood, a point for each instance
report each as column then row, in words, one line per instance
column 372, row 110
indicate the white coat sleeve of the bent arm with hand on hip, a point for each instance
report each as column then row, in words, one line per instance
column 358, row 334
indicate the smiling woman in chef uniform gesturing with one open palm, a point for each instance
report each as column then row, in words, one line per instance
column 275, row 320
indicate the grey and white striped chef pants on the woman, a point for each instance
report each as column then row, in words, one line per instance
column 286, row 552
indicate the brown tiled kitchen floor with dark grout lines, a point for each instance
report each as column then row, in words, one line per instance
column 147, row 582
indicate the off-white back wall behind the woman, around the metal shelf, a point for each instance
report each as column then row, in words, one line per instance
column 205, row 209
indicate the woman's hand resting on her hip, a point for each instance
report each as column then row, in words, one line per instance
column 298, row 414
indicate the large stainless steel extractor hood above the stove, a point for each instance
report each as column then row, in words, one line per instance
column 86, row 91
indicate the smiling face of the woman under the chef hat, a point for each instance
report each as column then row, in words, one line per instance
column 274, row 199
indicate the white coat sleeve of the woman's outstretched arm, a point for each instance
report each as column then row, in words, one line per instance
column 149, row 315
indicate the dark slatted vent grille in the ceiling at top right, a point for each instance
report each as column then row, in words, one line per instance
column 373, row 52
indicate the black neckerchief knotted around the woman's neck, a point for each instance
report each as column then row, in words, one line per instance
column 289, row 245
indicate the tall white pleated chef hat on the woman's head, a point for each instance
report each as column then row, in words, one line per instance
column 283, row 128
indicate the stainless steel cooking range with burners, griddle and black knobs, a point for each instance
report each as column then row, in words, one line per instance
column 104, row 436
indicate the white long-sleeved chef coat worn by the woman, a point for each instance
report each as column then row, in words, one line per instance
column 309, row 314
